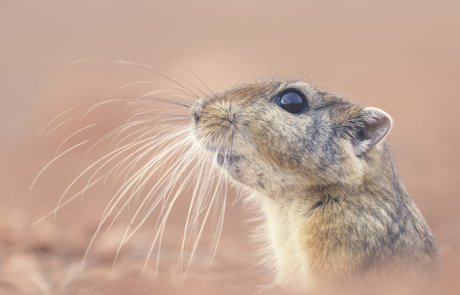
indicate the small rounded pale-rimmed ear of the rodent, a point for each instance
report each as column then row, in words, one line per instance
column 368, row 128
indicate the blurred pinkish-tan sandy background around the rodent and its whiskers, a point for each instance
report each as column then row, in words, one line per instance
column 402, row 56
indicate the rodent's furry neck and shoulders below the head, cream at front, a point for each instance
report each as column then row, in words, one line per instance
column 335, row 232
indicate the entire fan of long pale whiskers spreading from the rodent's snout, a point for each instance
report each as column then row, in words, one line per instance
column 152, row 162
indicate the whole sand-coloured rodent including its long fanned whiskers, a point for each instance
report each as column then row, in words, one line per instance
column 316, row 165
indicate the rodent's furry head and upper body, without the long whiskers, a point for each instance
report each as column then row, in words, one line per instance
column 322, row 173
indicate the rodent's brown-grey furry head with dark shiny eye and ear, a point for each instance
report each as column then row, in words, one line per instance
column 284, row 137
